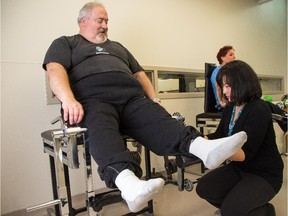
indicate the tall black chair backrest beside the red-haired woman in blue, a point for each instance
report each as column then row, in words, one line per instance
column 209, row 98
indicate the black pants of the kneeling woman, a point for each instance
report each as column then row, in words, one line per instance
column 236, row 193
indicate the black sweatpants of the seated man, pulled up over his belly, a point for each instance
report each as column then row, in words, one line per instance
column 121, row 108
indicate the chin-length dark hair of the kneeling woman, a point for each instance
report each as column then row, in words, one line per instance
column 243, row 81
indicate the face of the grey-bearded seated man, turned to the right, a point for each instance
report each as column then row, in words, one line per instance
column 96, row 26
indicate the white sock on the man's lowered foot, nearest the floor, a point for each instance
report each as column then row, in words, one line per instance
column 137, row 192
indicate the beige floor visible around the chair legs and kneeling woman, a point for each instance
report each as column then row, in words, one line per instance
column 172, row 202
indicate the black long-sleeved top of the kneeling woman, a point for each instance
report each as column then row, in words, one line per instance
column 261, row 153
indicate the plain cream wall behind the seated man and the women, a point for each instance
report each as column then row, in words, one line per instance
column 182, row 33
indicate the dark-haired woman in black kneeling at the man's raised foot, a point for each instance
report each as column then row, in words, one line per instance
column 254, row 174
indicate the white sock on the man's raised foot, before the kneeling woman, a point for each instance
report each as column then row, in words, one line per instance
column 214, row 152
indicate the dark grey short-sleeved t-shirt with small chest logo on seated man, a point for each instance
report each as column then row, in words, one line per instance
column 82, row 58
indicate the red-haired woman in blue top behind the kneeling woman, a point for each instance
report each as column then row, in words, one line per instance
column 224, row 55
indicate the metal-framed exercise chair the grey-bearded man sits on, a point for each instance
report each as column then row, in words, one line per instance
column 62, row 146
